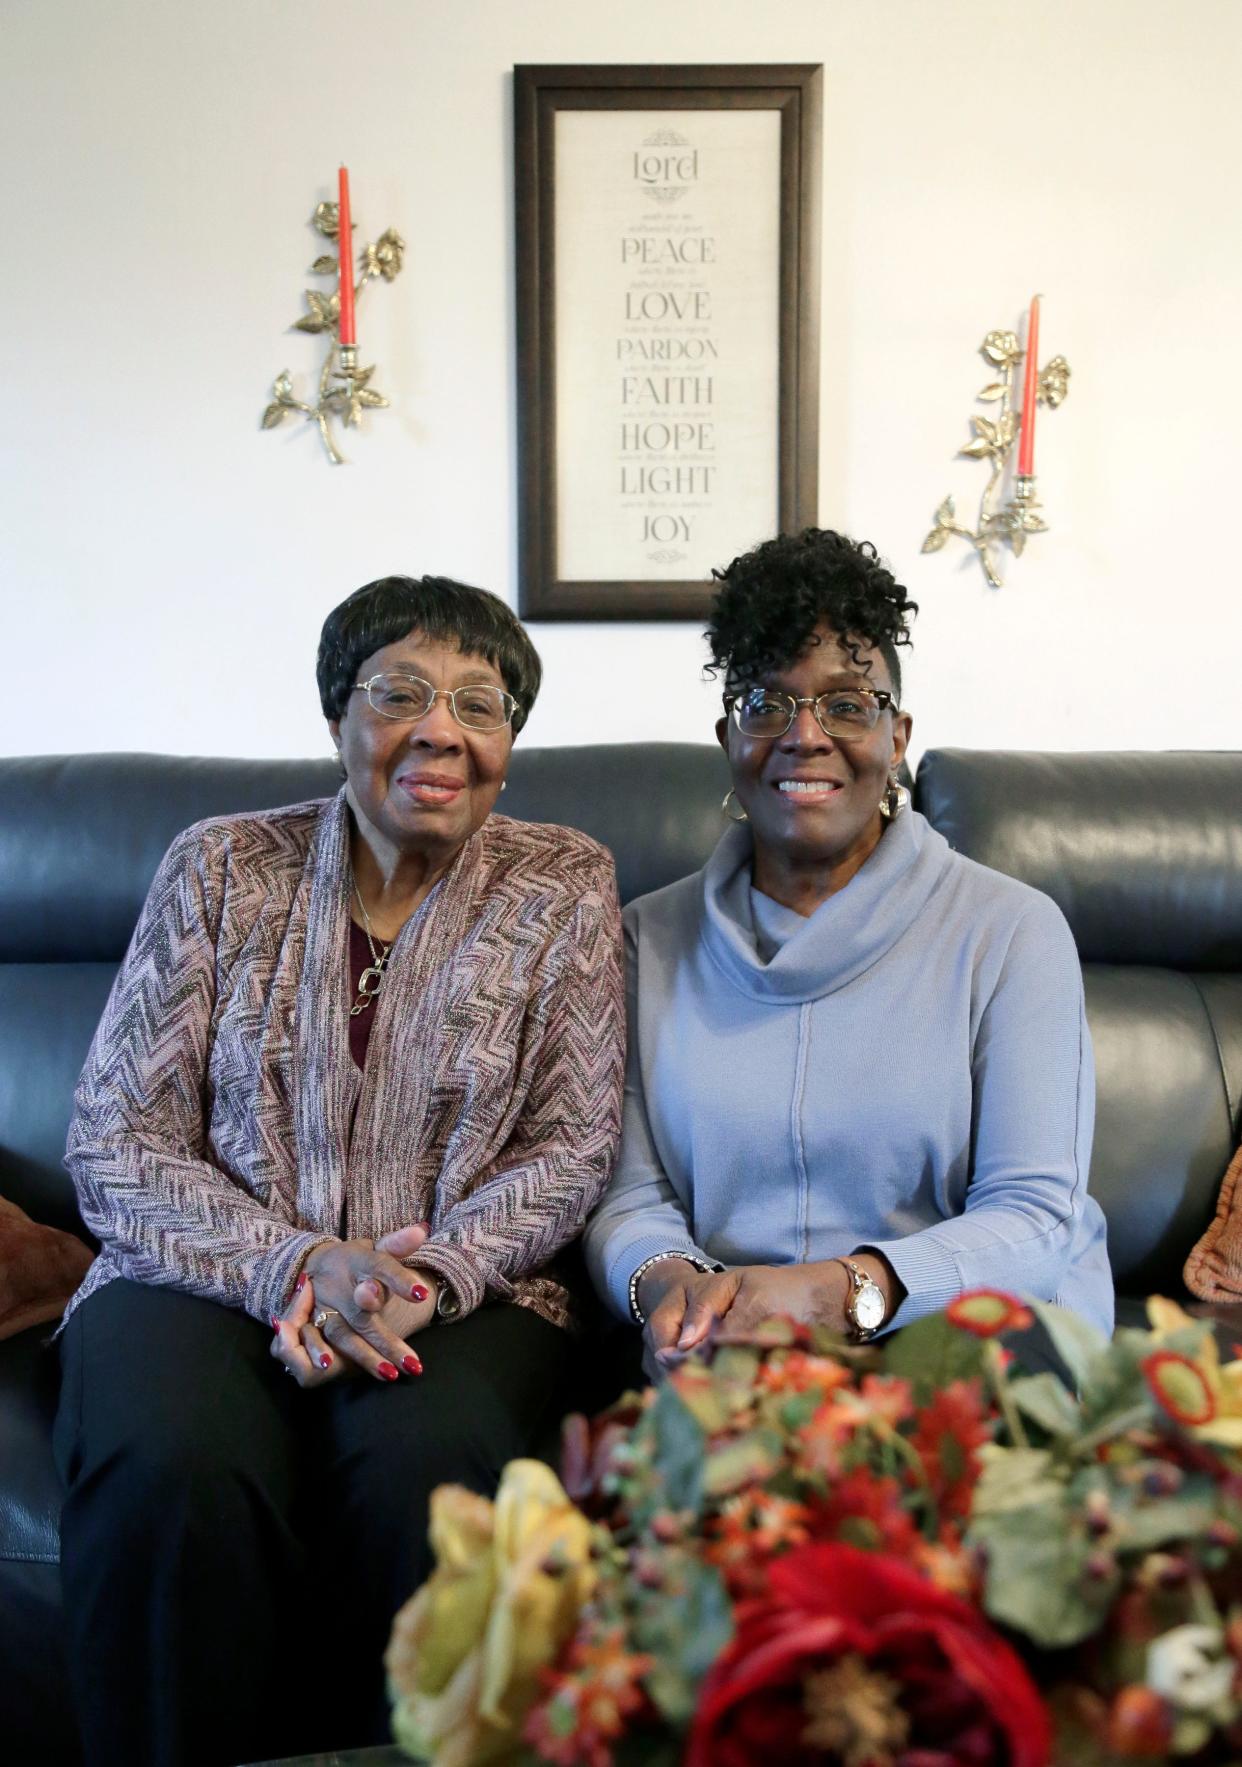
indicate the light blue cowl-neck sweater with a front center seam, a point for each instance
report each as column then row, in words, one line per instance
column 911, row 1072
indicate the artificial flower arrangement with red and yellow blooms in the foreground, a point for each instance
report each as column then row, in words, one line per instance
column 895, row 1556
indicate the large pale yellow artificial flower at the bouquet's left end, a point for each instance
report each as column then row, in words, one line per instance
column 469, row 1648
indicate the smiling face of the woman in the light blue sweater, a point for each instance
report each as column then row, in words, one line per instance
column 815, row 800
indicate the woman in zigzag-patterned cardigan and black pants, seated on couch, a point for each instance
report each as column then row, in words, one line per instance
column 356, row 1086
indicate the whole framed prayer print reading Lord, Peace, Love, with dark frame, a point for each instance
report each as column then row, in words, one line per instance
column 669, row 312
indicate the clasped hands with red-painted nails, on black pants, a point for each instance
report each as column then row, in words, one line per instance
column 374, row 1307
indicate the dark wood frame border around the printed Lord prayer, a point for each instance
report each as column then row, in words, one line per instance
column 540, row 93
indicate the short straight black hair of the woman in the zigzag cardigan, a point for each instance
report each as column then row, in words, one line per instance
column 453, row 614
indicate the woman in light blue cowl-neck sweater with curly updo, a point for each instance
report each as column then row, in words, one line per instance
column 860, row 1070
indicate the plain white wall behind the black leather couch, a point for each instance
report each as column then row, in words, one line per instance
column 167, row 566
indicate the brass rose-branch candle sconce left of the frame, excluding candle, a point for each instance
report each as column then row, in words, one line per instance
column 345, row 390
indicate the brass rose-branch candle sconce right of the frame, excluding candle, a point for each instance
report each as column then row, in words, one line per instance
column 996, row 436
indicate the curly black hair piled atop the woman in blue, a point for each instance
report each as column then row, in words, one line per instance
column 773, row 598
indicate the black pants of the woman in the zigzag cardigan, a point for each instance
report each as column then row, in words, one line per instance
column 234, row 1549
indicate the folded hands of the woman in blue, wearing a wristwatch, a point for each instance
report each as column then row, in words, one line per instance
column 683, row 1305
